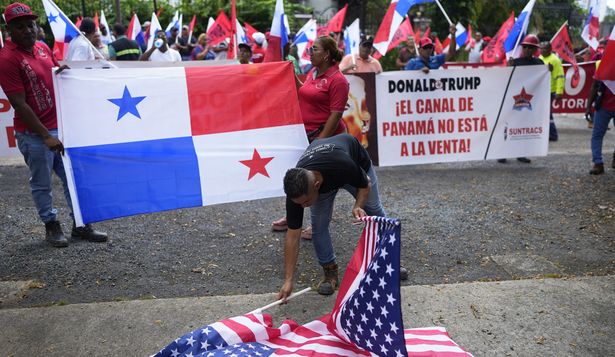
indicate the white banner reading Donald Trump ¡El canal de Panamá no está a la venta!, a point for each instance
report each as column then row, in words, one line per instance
column 462, row 115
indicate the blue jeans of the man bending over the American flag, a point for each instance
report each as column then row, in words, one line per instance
column 322, row 211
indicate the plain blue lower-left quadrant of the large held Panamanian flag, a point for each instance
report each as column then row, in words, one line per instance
column 131, row 178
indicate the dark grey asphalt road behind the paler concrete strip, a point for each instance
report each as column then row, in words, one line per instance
column 472, row 222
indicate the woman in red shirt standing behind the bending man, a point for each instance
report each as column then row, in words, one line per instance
column 322, row 100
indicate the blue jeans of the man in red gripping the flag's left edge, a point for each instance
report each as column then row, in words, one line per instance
column 42, row 163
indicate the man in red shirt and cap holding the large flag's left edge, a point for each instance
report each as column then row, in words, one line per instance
column 26, row 78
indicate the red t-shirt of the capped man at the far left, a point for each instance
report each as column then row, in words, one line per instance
column 30, row 73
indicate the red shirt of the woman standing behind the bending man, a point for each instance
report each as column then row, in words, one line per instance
column 320, row 96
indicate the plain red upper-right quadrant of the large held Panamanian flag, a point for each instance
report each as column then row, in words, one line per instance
column 243, row 97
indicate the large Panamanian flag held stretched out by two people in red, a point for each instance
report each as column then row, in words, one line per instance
column 154, row 139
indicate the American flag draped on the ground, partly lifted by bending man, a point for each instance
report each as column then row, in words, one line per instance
column 366, row 319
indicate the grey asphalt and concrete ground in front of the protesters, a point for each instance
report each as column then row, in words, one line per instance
column 538, row 276
